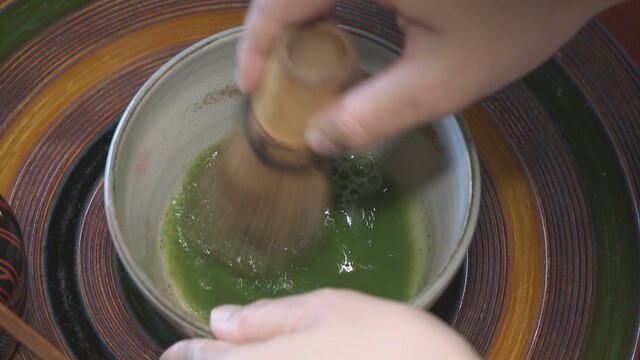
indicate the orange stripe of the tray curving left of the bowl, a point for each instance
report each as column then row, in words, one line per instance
column 55, row 97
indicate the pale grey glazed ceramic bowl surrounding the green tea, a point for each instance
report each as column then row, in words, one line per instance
column 191, row 102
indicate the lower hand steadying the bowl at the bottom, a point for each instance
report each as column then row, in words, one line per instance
column 324, row 324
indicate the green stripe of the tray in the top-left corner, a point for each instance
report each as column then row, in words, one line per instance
column 24, row 19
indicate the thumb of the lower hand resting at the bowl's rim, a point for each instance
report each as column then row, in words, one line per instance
column 259, row 321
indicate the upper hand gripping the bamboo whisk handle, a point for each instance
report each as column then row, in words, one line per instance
column 456, row 52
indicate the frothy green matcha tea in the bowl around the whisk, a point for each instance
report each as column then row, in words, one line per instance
column 369, row 242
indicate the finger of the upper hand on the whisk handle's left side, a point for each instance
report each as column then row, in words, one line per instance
column 265, row 20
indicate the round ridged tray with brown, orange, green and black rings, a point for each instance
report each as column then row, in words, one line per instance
column 554, row 268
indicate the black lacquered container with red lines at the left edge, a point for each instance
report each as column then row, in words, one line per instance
column 12, row 272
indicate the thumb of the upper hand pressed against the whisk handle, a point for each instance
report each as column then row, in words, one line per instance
column 404, row 96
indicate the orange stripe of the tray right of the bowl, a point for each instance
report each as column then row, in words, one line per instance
column 525, row 244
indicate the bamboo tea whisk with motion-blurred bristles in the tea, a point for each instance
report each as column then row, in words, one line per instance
column 268, row 192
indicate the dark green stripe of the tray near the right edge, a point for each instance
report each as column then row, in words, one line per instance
column 614, row 227
